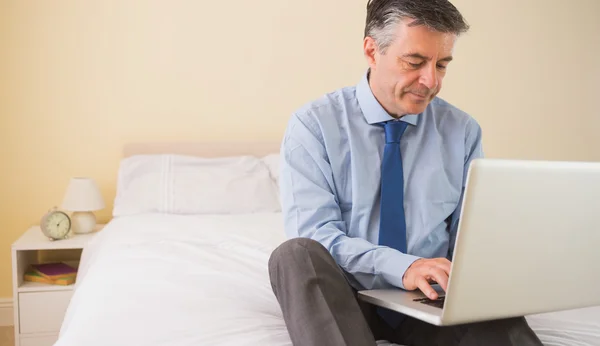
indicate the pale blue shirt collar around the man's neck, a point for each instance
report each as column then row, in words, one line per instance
column 372, row 109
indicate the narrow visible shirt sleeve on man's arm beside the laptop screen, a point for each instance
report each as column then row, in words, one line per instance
column 473, row 150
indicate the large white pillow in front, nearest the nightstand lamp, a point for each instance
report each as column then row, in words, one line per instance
column 179, row 184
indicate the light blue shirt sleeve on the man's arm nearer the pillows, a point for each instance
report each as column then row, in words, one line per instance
column 311, row 210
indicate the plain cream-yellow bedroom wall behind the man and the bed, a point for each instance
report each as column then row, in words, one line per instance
column 80, row 79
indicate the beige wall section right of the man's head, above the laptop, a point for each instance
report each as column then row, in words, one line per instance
column 528, row 71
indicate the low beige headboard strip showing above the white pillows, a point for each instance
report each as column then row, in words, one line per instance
column 203, row 149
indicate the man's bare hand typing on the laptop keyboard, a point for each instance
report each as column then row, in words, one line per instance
column 423, row 272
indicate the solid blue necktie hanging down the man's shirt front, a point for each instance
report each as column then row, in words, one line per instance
column 392, row 226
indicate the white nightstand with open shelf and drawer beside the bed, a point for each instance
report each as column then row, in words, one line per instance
column 39, row 308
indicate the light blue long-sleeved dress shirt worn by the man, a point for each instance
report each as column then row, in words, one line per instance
column 330, row 180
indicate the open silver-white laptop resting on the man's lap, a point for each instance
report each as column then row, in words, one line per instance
column 528, row 242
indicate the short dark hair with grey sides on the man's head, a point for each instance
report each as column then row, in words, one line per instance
column 384, row 15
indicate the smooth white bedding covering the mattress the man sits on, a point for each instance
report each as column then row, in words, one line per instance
column 162, row 279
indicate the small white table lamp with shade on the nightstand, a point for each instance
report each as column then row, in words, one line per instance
column 83, row 198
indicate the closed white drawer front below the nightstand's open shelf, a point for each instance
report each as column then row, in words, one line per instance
column 41, row 312
